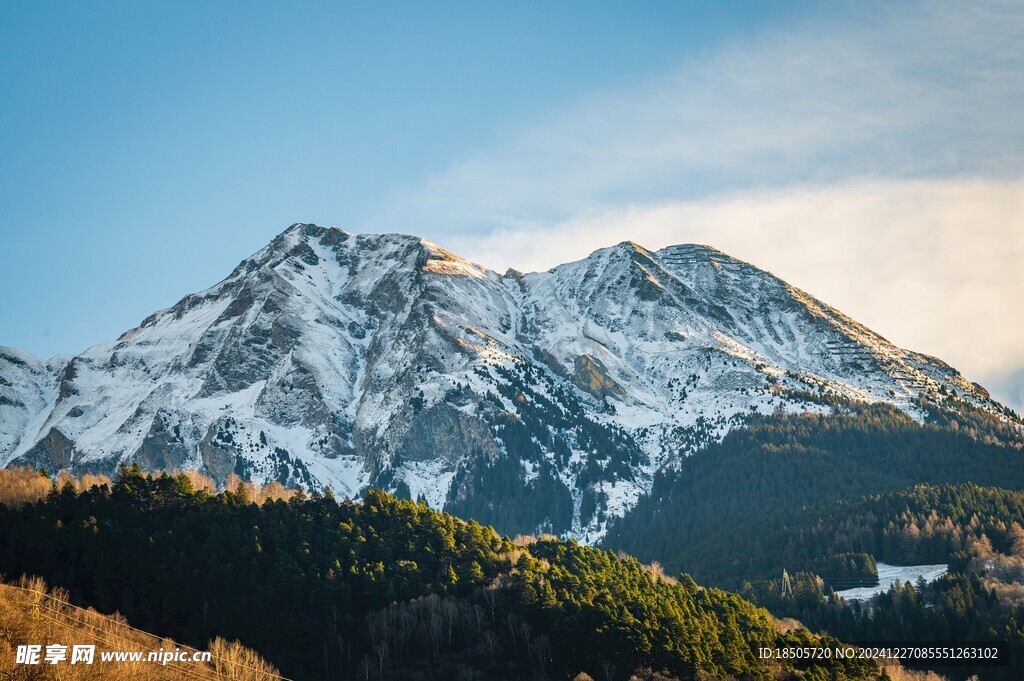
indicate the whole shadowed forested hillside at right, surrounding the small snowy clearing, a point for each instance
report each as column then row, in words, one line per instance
column 796, row 507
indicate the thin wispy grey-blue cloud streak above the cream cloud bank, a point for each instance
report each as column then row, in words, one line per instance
column 875, row 90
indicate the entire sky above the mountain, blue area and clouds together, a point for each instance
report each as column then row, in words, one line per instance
column 147, row 148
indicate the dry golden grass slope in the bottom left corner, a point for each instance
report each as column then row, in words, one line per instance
column 32, row 615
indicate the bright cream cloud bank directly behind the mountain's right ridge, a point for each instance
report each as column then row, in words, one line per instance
column 934, row 266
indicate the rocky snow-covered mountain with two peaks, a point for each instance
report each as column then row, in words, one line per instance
column 541, row 401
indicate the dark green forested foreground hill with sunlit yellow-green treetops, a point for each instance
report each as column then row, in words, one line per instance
column 385, row 589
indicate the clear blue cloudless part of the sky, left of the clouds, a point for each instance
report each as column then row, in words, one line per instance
column 147, row 148
